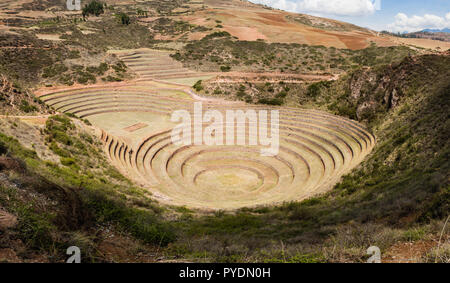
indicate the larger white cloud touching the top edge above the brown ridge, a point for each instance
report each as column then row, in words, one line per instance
column 324, row 7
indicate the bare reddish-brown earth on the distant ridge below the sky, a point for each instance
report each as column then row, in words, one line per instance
column 248, row 21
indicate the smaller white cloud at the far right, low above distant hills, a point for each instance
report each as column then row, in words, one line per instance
column 403, row 23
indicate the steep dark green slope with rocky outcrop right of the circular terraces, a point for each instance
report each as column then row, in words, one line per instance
column 407, row 106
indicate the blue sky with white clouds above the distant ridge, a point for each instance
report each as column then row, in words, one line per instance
column 391, row 15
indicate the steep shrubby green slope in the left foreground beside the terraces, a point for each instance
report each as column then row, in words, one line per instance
column 60, row 191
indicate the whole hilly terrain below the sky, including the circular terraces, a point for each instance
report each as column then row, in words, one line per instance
column 86, row 157
